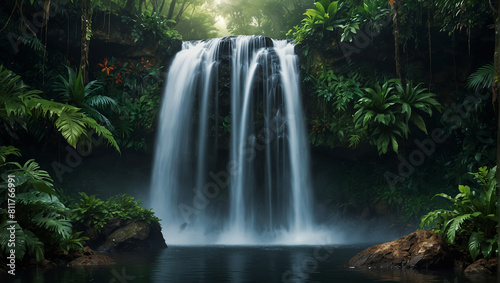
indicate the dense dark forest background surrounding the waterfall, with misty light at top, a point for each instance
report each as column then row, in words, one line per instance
column 401, row 96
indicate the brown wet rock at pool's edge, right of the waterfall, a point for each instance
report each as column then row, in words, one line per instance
column 418, row 250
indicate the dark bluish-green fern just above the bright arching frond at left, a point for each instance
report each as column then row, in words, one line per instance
column 72, row 90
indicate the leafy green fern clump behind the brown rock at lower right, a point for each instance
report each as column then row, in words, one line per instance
column 472, row 221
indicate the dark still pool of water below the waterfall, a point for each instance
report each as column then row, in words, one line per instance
column 237, row 264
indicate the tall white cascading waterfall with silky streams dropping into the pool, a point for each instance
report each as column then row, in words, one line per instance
column 260, row 193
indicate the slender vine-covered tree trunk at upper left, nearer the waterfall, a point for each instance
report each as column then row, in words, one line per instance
column 85, row 41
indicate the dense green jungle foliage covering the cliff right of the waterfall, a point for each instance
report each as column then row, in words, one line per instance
column 356, row 101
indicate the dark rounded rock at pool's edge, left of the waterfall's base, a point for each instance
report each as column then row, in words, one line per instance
column 135, row 236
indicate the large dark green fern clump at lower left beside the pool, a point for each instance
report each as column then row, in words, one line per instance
column 42, row 221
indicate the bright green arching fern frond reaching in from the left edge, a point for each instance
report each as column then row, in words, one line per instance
column 18, row 102
